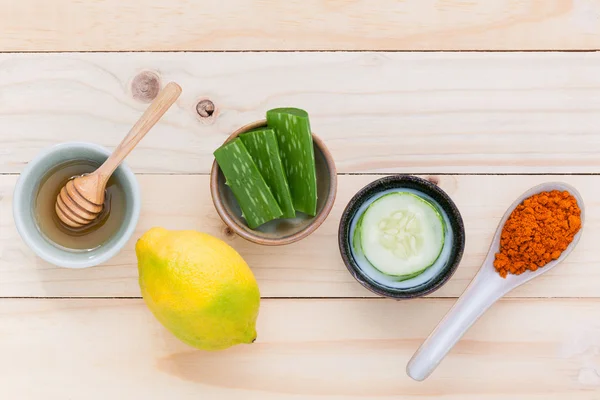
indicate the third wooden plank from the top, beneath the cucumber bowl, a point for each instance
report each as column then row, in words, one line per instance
column 312, row 267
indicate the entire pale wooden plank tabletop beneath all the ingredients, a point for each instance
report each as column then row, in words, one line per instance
column 439, row 89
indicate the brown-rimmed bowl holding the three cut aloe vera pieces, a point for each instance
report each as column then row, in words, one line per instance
column 280, row 231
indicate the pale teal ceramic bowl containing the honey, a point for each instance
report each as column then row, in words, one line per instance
column 24, row 202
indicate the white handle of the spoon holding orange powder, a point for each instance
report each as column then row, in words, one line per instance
column 483, row 291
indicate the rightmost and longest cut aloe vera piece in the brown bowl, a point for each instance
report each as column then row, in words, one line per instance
column 292, row 128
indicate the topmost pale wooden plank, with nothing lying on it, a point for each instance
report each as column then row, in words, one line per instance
column 114, row 25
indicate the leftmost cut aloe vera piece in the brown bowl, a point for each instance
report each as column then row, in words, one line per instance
column 249, row 188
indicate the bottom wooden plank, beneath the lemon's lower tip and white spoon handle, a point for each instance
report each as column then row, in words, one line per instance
column 308, row 349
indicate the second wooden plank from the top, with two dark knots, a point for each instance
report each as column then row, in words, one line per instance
column 378, row 112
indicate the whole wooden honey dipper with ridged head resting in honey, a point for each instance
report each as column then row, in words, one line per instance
column 81, row 200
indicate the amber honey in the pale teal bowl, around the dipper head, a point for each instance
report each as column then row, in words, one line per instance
column 86, row 238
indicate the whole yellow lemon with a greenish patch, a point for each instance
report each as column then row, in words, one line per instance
column 198, row 287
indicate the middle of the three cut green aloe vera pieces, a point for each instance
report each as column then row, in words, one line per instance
column 262, row 146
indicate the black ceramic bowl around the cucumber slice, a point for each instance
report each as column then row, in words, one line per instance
column 454, row 220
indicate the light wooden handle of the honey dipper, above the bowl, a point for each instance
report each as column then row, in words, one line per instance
column 163, row 101
